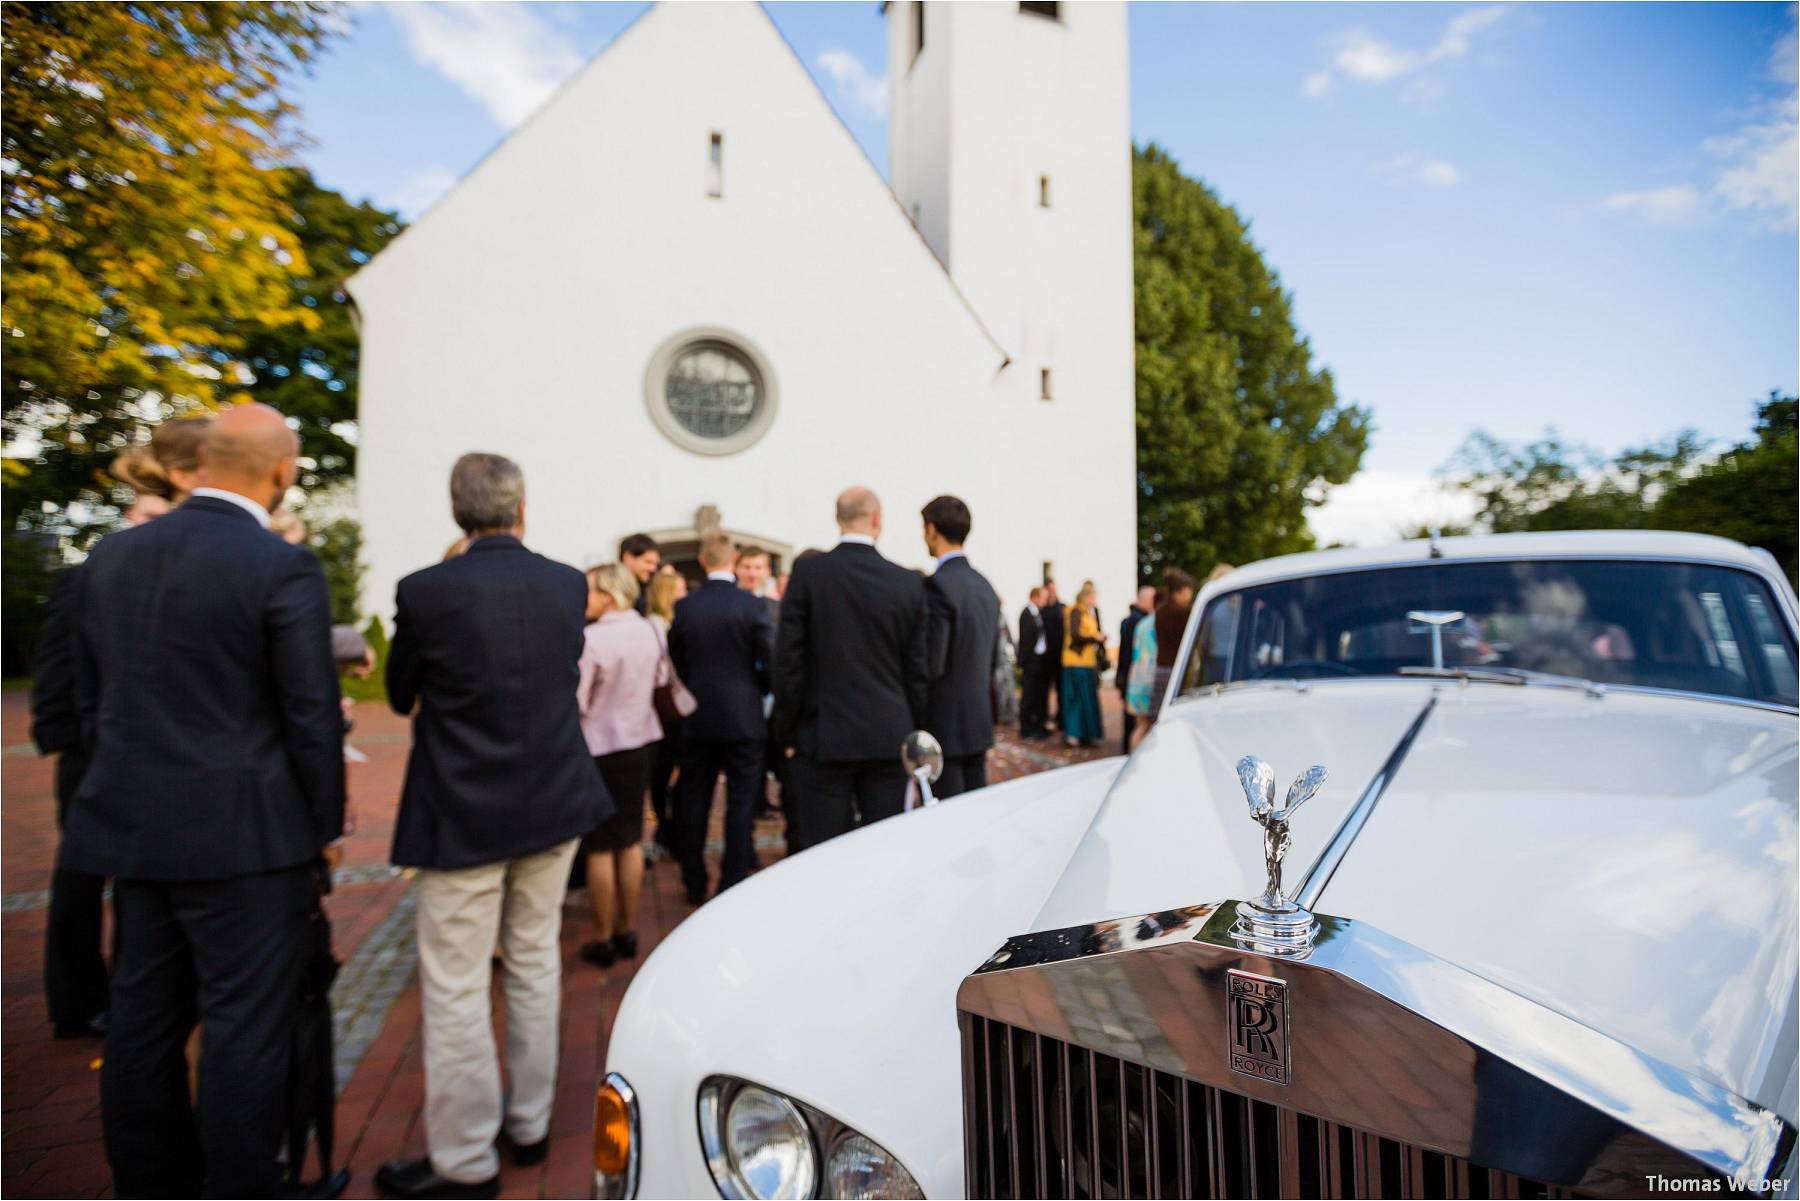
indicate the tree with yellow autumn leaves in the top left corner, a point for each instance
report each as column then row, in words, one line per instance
column 143, row 230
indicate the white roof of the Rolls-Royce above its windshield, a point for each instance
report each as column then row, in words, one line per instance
column 1648, row 545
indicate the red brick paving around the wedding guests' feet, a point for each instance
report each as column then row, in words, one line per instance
column 49, row 1090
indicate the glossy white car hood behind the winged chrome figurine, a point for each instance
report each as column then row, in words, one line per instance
column 1624, row 860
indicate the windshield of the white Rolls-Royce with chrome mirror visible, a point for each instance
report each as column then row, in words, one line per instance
column 1687, row 628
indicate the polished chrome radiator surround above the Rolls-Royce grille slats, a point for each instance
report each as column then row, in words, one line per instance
column 1389, row 1040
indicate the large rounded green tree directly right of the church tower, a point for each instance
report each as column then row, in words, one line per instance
column 1236, row 426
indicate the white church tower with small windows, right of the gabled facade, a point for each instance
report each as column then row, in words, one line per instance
column 1009, row 145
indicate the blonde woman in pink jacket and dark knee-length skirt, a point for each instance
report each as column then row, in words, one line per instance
column 622, row 665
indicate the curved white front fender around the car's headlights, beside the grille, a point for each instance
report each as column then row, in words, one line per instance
column 832, row 975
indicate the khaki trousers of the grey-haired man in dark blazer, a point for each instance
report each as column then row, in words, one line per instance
column 460, row 916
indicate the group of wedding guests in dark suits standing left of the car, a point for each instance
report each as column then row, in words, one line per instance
column 192, row 687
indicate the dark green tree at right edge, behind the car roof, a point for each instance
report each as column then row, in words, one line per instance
column 1749, row 492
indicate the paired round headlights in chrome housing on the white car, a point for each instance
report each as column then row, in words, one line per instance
column 762, row 1146
